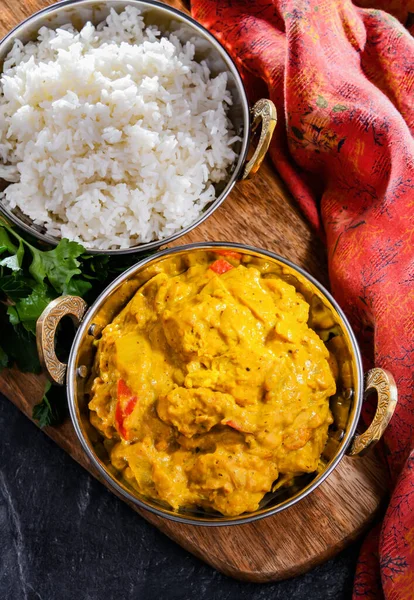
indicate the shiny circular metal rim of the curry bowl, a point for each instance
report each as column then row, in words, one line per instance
column 170, row 514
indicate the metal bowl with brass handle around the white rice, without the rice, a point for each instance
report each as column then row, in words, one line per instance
column 168, row 19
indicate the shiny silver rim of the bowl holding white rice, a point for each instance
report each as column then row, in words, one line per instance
column 234, row 176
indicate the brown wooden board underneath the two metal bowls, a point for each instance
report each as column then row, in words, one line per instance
column 259, row 212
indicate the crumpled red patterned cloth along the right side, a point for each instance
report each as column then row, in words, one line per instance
column 342, row 78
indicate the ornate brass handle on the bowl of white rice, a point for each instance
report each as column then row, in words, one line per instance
column 264, row 111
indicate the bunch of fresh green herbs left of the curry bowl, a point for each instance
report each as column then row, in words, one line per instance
column 31, row 275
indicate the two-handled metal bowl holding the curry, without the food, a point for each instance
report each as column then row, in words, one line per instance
column 326, row 318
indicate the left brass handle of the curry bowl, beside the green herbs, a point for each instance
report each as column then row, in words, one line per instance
column 46, row 325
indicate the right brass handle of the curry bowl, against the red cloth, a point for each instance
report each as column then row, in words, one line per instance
column 383, row 382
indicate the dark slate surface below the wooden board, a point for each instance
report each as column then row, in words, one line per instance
column 63, row 536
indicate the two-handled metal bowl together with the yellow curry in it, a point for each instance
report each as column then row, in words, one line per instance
column 215, row 383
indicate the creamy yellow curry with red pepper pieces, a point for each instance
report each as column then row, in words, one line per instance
column 210, row 387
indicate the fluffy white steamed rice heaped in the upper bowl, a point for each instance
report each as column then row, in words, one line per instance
column 113, row 136
